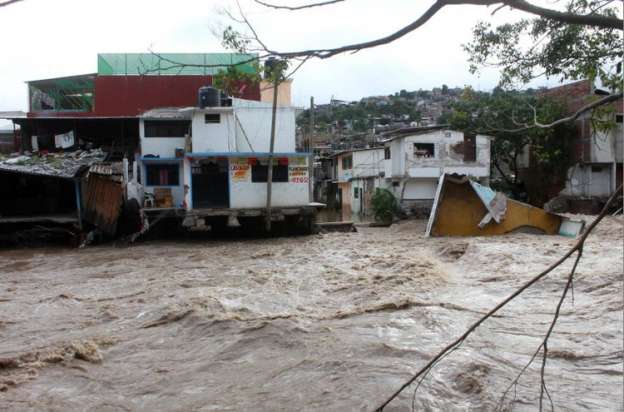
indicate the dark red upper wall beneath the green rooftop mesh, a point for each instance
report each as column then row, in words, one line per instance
column 133, row 95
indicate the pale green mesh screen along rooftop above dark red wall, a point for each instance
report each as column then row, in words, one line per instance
column 172, row 64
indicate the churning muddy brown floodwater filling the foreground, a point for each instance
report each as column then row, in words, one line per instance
column 327, row 322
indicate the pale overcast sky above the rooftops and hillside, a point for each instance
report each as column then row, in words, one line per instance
column 50, row 38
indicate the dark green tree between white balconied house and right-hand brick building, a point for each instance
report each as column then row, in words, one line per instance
column 499, row 114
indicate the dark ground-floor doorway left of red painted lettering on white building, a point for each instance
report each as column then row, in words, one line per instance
column 210, row 187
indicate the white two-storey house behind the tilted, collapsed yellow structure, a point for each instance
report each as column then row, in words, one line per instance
column 409, row 165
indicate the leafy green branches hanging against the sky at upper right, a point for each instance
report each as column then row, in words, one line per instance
column 532, row 47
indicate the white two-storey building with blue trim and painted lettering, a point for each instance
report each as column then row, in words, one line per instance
column 215, row 159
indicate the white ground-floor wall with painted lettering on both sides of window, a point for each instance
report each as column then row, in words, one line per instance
column 246, row 194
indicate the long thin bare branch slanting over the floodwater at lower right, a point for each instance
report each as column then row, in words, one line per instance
column 453, row 345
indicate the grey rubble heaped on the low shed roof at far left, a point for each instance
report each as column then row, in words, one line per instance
column 62, row 164
